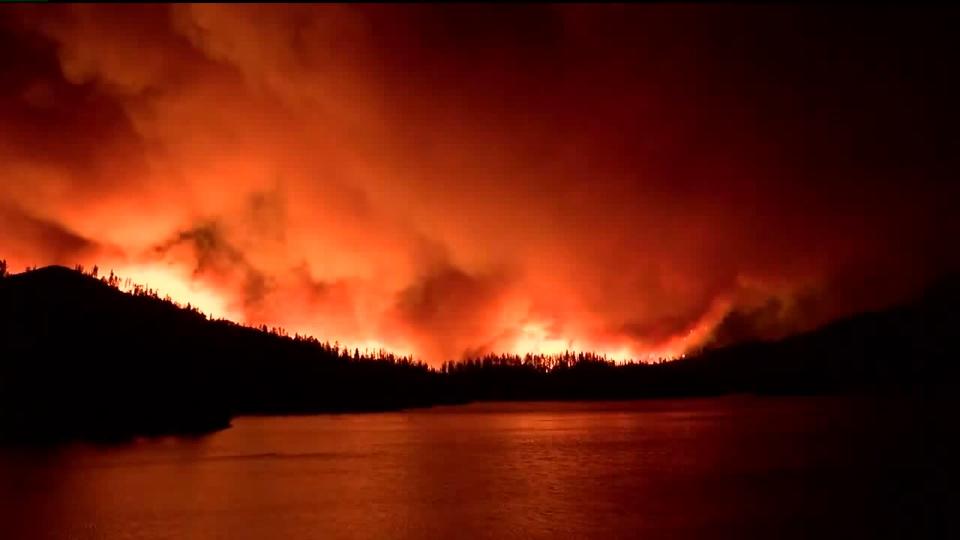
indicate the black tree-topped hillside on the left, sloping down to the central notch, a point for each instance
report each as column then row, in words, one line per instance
column 84, row 359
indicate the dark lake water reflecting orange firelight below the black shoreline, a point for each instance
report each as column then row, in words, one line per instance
column 737, row 467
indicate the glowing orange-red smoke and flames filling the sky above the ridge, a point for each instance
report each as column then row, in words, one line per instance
column 454, row 180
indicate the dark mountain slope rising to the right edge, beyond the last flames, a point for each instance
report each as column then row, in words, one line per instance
column 908, row 348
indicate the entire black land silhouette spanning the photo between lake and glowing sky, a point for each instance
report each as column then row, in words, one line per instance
column 81, row 358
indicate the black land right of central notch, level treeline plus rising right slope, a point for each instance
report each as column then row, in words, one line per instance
column 909, row 349
